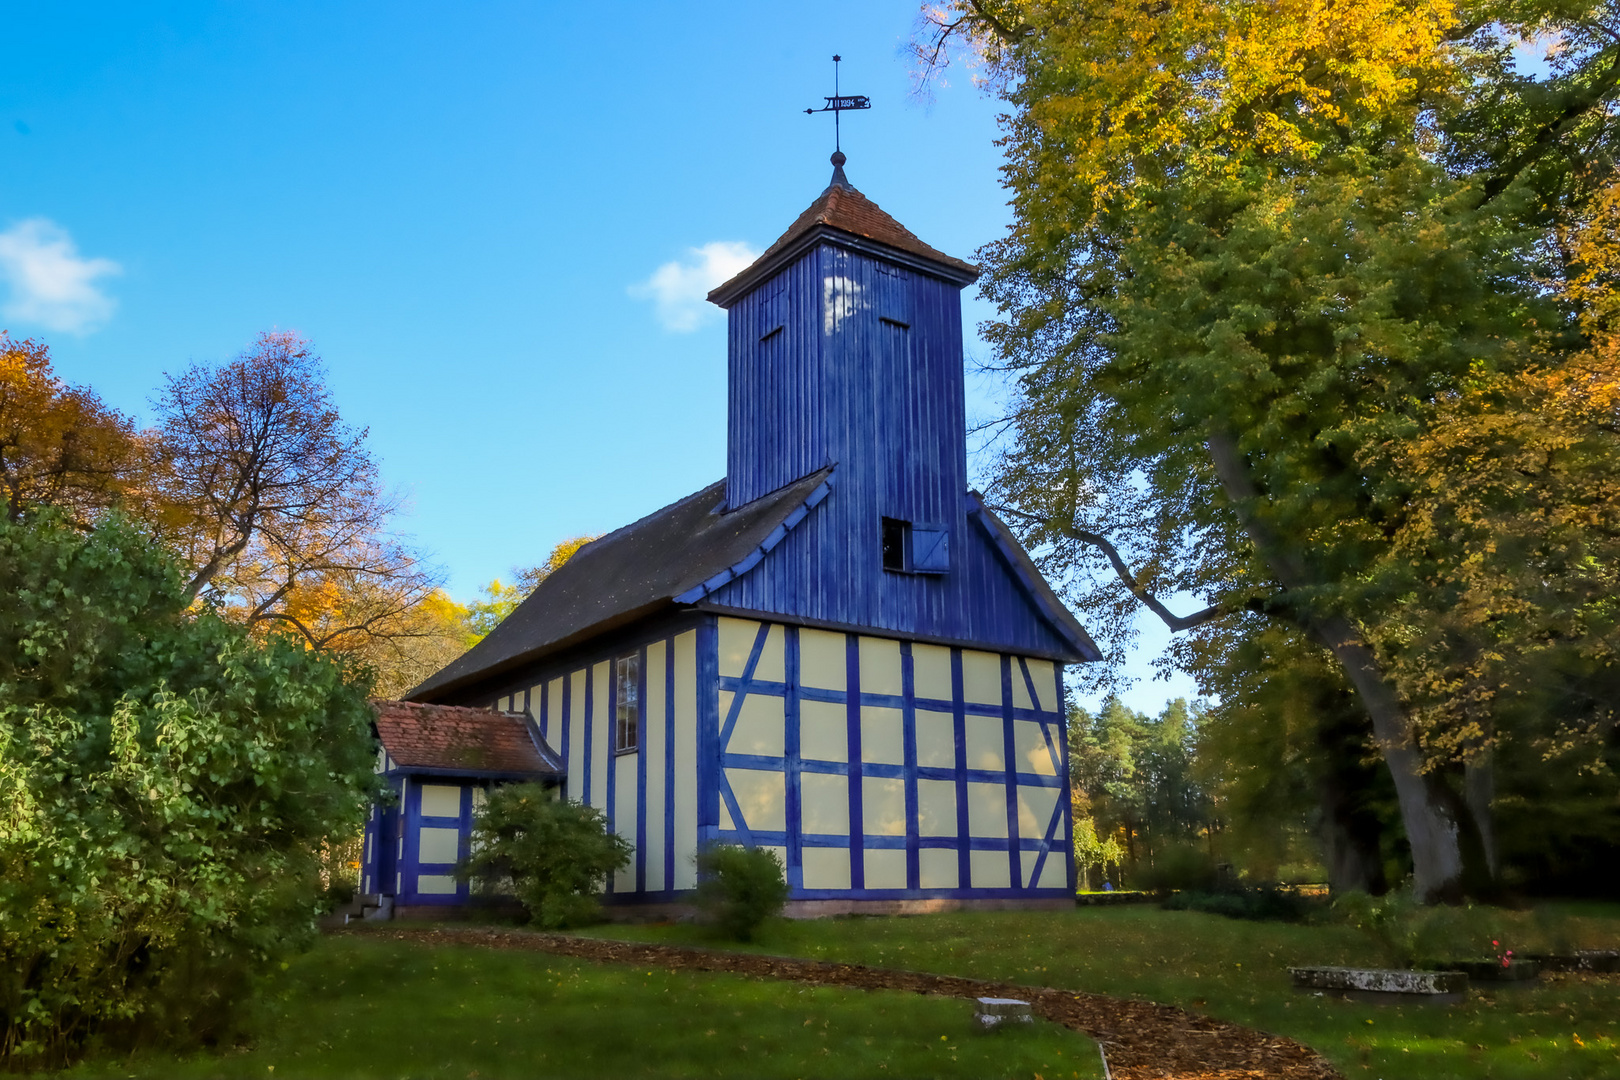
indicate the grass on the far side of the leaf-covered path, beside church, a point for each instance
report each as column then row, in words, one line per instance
column 1562, row 1029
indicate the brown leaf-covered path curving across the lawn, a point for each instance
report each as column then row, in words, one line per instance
column 1143, row 1040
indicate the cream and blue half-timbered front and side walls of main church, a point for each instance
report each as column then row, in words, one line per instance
column 877, row 768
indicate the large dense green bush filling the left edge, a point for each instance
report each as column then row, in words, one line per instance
column 166, row 786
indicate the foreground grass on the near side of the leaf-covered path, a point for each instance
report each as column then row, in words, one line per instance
column 362, row 1010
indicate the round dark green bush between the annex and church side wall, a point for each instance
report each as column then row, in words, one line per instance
column 548, row 853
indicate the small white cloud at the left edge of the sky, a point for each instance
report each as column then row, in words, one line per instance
column 51, row 284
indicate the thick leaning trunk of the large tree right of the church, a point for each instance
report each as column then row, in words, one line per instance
column 1433, row 823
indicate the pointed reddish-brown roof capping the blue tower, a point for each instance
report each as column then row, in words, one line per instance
column 845, row 211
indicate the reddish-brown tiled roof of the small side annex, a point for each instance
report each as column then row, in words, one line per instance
column 446, row 739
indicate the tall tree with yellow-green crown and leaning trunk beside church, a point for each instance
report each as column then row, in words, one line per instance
column 1251, row 249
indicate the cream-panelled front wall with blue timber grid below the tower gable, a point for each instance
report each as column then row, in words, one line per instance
column 885, row 768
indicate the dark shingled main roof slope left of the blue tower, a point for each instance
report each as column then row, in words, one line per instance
column 633, row 574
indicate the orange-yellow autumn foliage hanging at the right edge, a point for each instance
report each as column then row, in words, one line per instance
column 1517, row 521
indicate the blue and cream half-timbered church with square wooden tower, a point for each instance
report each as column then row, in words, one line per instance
column 838, row 652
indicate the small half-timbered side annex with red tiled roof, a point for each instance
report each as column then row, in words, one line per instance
column 440, row 762
